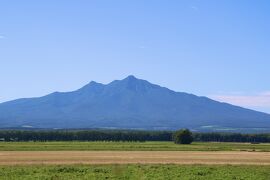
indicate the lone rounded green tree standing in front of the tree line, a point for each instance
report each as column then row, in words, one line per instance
column 183, row 136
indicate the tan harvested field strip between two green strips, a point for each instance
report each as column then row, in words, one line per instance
column 131, row 157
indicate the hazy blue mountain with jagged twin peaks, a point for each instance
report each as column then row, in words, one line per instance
column 127, row 103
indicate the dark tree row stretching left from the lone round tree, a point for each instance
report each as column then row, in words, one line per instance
column 85, row 135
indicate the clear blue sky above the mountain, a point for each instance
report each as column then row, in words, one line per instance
column 219, row 49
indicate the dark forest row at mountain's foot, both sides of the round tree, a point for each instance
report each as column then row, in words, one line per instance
column 124, row 135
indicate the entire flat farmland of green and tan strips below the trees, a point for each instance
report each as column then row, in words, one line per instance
column 25, row 164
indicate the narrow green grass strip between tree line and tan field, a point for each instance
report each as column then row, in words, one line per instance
column 130, row 146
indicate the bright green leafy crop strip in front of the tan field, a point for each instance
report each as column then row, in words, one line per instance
column 136, row 172
